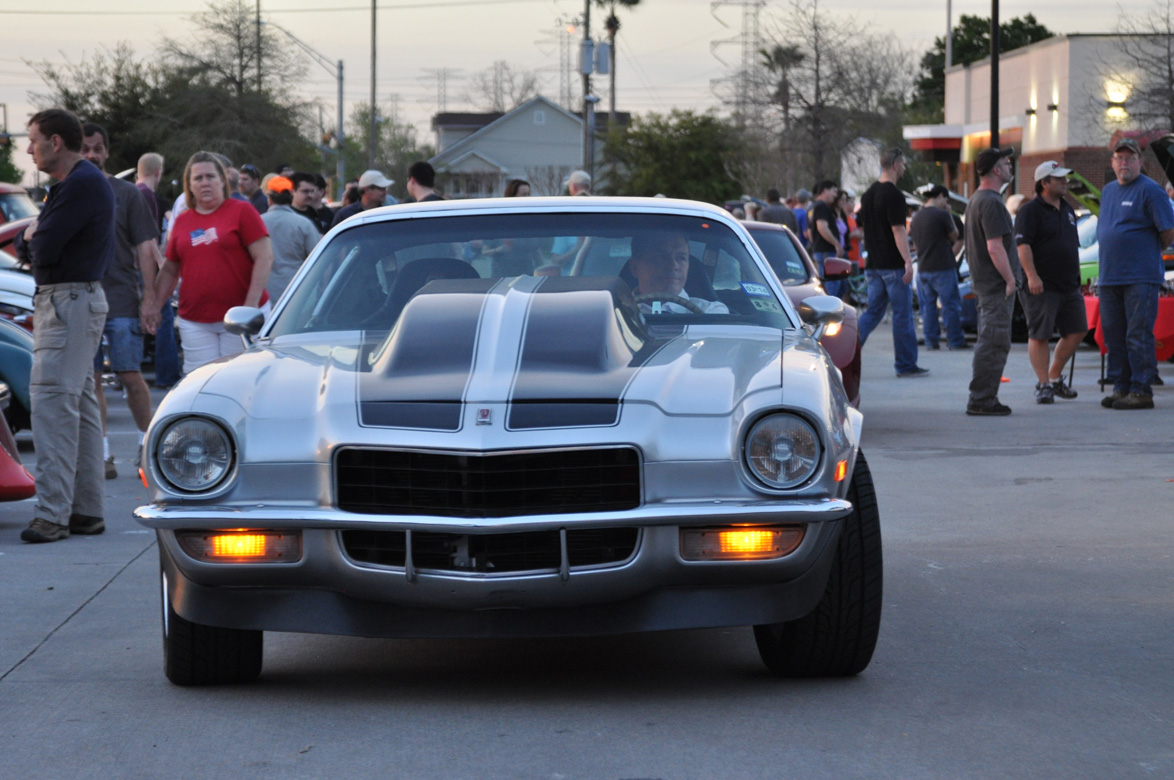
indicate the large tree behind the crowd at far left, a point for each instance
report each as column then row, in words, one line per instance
column 204, row 97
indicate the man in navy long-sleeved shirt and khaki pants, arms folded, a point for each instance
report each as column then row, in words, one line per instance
column 70, row 247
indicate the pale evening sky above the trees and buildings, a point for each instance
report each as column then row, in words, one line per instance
column 670, row 52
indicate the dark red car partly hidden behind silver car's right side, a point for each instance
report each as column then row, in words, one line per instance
column 798, row 274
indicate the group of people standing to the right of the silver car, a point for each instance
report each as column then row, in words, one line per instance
column 1020, row 247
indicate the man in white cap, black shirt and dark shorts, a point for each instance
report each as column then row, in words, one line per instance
column 1050, row 257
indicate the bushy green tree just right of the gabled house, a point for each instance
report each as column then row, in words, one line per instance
column 680, row 156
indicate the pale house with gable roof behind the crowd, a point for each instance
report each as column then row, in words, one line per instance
column 539, row 142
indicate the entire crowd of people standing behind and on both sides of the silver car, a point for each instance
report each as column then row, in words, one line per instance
column 107, row 257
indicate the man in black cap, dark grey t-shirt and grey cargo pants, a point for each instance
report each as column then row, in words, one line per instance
column 994, row 267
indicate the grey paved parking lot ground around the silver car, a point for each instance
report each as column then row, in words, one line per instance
column 1028, row 633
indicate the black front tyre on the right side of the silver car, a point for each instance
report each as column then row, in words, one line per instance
column 839, row 637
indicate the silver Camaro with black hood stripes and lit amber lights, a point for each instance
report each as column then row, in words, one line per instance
column 518, row 419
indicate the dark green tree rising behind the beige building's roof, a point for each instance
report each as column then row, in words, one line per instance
column 971, row 43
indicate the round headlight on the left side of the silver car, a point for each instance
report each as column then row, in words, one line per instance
column 194, row 455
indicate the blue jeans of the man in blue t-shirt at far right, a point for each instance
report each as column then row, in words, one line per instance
column 1129, row 313
